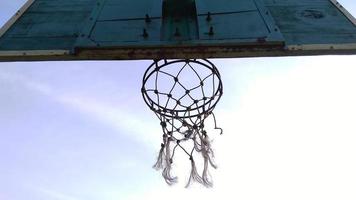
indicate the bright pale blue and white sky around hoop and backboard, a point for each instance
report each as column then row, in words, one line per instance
column 80, row 130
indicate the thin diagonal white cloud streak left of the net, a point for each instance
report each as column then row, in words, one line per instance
column 117, row 117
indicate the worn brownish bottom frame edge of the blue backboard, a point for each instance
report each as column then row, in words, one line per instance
column 157, row 53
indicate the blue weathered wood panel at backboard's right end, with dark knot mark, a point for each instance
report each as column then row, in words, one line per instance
column 311, row 22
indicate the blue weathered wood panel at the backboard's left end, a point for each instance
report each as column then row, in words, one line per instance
column 48, row 24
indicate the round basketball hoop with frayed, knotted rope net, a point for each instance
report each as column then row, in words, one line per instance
column 182, row 104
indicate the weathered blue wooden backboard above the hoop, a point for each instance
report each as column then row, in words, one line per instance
column 157, row 29
